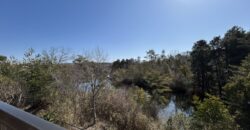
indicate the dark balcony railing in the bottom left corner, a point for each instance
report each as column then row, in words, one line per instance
column 12, row 118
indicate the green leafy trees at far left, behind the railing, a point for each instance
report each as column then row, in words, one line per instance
column 31, row 79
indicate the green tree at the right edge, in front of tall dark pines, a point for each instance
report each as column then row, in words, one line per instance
column 238, row 93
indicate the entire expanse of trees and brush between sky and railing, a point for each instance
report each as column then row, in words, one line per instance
column 211, row 82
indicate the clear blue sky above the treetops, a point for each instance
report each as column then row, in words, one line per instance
column 122, row 28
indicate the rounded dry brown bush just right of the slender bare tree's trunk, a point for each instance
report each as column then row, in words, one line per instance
column 118, row 108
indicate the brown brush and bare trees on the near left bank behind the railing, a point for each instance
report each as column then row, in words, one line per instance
column 75, row 95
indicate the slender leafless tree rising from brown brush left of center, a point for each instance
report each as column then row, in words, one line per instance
column 95, row 74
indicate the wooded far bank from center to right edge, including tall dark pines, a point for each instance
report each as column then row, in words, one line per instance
column 212, row 68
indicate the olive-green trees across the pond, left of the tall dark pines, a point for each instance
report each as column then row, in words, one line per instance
column 158, row 76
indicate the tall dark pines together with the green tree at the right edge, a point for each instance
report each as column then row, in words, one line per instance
column 221, row 66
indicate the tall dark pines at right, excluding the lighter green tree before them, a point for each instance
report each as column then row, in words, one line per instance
column 213, row 63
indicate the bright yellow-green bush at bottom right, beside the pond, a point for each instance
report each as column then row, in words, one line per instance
column 212, row 114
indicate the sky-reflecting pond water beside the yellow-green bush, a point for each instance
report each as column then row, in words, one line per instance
column 176, row 105
